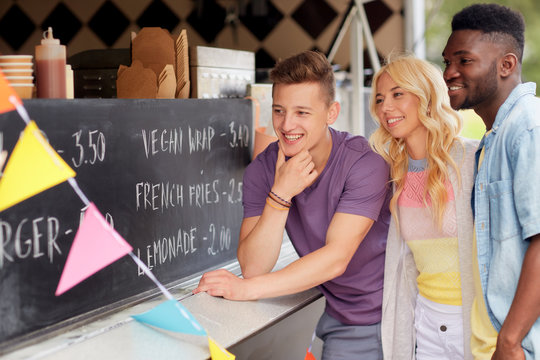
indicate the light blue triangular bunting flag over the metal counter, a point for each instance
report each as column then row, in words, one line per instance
column 172, row 316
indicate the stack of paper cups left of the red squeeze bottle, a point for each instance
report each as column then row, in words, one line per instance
column 18, row 71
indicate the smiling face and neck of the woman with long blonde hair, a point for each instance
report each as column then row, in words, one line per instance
column 397, row 111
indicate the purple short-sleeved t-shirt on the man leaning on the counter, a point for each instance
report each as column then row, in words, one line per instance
column 354, row 181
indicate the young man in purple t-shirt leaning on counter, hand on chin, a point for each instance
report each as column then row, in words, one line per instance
column 330, row 192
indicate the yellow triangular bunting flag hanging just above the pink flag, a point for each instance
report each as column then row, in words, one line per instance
column 33, row 167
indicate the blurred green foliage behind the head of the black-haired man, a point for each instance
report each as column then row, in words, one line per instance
column 439, row 16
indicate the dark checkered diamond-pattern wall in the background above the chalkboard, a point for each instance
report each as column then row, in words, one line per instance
column 273, row 29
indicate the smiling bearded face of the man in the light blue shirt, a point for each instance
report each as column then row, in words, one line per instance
column 471, row 70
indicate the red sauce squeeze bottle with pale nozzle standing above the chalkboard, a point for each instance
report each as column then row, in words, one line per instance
column 50, row 67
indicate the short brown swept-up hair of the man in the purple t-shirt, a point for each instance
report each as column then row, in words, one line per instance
column 307, row 66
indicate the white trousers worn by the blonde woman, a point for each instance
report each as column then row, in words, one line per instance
column 439, row 330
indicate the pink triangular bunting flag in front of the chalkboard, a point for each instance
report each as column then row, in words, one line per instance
column 96, row 245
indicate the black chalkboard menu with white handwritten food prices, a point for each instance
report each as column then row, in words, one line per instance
column 167, row 174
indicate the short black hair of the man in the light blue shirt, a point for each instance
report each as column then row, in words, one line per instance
column 499, row 22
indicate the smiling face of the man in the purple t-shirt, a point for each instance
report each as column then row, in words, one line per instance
column 301, row 115
